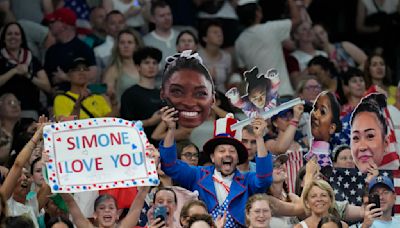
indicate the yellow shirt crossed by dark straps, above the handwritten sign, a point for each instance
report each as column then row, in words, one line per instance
column 95, row 104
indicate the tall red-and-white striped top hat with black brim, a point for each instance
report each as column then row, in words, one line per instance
column 224, row 135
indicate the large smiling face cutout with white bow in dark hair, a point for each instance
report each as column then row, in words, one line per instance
column 188, row 86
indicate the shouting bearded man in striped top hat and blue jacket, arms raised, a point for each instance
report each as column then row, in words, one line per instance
column 221, row 186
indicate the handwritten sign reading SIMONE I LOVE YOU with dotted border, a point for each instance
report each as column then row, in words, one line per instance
column 98, row 154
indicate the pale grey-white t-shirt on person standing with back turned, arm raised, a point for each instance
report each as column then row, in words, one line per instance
column 261, row 45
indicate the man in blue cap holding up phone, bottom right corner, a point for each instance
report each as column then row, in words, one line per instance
column 382, row 216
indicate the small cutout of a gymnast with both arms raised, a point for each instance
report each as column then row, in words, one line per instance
column 261, row 92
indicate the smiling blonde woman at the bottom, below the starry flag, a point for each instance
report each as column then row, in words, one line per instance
column 319, row 199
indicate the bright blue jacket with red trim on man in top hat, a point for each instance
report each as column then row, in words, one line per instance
column 200, row 179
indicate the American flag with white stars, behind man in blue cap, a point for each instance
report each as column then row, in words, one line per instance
column 348, row 184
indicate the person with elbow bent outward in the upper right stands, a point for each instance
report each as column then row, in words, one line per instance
column 343, row 54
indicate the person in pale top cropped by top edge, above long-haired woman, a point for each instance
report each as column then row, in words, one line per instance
column 133, row 10
